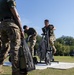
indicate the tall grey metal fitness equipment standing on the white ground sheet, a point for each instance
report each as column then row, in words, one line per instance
column 45, row 51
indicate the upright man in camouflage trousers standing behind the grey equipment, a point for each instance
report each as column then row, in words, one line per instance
column 51, row 36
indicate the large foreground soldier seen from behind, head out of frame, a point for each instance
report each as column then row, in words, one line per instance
column 10, row 29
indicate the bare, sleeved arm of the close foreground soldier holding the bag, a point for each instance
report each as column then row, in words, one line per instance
column 12, row 6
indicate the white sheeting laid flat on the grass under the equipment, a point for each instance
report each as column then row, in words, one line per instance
column 60, row 65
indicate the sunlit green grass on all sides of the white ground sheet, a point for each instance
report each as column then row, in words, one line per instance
column 48, row 71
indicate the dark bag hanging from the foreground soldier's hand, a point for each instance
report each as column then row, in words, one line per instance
column 25, row 59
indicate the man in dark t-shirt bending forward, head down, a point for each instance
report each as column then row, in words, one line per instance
column 31, row 32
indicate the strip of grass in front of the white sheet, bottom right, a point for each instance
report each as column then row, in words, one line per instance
column 52, row 72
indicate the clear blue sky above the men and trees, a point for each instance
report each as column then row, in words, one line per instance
column 59, row 12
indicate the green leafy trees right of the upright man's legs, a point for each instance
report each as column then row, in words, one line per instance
column 65, row 45
